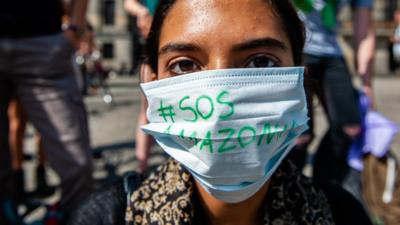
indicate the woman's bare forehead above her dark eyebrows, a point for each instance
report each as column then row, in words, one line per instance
column 221, row 21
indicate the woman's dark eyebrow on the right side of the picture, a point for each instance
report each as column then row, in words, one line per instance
column 263, row 42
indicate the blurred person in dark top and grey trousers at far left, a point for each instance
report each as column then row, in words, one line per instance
column 35, row 61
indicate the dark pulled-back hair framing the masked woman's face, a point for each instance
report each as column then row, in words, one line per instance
column 283, row 8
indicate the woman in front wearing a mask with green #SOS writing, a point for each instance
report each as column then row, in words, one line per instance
column 227, row 118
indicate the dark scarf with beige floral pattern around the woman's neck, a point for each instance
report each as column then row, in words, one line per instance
column 167, row 197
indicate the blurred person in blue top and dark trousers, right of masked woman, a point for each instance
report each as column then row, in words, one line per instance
column 333, row 85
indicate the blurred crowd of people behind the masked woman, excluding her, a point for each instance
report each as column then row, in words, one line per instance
column 49, row 62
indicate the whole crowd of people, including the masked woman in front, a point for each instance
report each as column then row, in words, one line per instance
column 228, row 92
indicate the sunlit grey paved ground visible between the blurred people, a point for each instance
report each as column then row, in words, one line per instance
column 113, row 127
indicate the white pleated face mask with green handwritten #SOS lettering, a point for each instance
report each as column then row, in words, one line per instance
column 230, row 128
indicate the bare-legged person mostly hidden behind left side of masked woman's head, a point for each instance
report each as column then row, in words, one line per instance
column 143, row 12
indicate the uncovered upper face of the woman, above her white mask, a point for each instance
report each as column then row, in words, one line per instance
column 217, row 34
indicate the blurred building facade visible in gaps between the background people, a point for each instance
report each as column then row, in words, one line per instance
column 112, row 27
